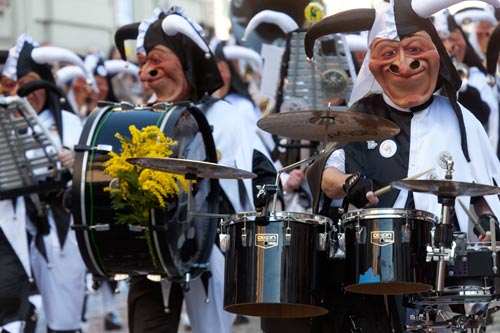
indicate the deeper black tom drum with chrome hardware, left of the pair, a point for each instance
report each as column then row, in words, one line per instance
column 272, row 265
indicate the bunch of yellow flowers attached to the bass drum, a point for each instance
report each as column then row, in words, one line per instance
column 138, row 188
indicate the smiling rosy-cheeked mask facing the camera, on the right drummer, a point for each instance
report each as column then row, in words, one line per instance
column 406, row 70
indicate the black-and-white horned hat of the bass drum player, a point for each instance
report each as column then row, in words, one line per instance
column 184, row 37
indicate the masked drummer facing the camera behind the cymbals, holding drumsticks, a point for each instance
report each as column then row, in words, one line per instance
column 408, row 78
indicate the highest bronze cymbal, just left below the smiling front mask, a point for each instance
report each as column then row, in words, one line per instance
column 328, row 125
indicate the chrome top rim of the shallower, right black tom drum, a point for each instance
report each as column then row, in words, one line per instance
column 387, row 213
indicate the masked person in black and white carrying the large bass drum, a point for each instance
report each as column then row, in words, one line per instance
column 176, row 63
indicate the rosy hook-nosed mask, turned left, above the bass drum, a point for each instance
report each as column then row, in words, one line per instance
column 162, row 71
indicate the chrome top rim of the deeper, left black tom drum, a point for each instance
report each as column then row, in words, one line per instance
column 299, row 217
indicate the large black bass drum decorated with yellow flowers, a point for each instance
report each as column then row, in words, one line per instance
column 179, row 245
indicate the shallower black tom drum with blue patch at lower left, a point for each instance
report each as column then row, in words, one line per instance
column 386, row 251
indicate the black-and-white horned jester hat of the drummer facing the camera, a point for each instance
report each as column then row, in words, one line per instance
column 394, row 19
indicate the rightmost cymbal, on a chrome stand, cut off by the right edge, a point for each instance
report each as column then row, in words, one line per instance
column 446, row 188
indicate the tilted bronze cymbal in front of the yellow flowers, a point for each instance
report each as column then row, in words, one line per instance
column 191, row 168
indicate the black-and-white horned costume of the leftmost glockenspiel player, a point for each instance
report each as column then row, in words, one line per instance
column 54, row 255
